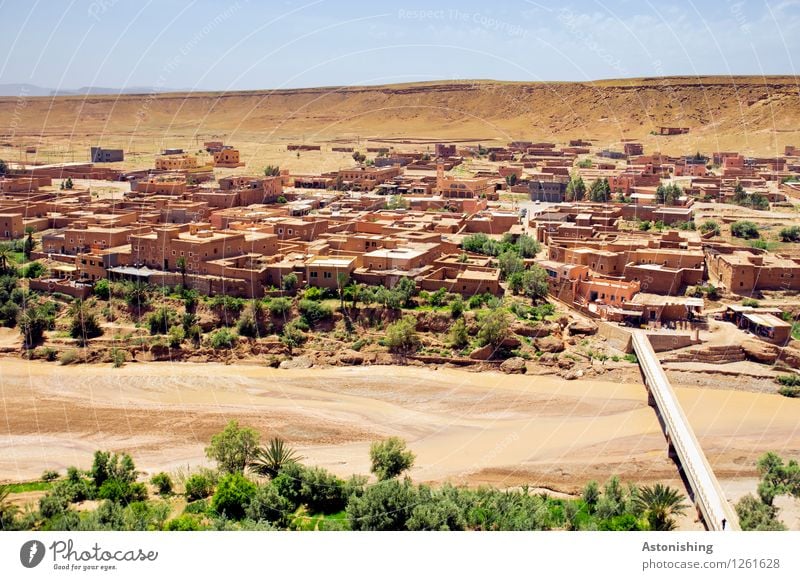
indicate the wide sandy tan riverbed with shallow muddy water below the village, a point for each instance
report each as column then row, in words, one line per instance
column 465, row 427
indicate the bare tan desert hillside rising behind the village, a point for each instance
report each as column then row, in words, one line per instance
column 755, row 115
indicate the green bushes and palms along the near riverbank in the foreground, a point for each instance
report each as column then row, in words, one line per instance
column 293, row 496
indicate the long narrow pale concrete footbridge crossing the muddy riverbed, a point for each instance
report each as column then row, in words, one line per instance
column 683, row 445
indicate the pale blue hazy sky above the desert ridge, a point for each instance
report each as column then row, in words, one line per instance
column 250, row 44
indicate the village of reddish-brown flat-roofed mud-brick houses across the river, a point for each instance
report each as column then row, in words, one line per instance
column 405, row 214
